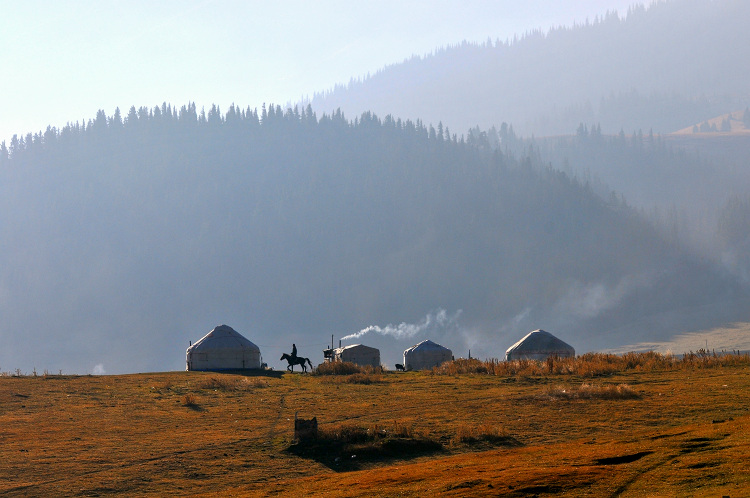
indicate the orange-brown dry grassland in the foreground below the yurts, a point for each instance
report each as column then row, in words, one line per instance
column 648, row 429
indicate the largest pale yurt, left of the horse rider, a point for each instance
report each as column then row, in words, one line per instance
column 223, row 349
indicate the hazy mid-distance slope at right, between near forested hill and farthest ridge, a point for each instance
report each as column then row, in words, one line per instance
column 689, row 181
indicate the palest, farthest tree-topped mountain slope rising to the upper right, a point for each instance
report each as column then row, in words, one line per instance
column 662, row 68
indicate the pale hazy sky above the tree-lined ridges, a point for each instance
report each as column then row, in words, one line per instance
column 63, row 61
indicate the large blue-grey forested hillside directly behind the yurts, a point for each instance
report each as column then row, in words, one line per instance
column 125, row 237
